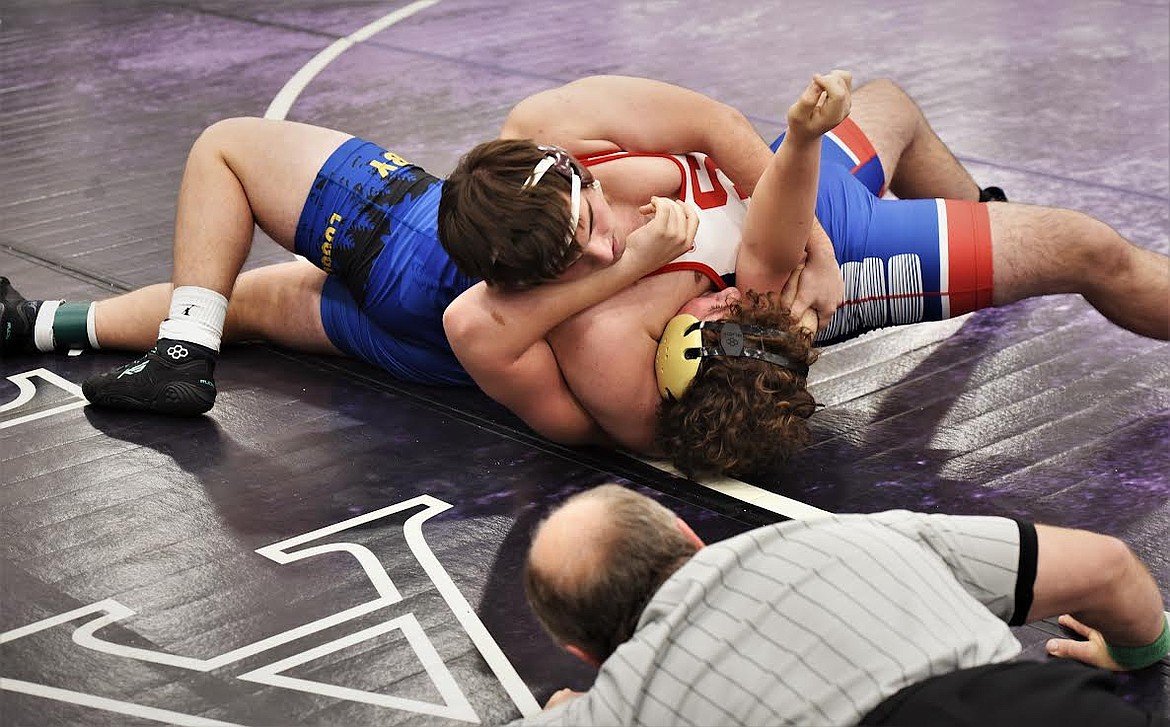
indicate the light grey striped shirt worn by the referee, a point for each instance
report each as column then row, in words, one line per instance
column 816, row 622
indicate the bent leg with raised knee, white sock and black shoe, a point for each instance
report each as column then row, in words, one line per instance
column 240, row 173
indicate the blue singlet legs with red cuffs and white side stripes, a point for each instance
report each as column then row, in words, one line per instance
column 904, row 262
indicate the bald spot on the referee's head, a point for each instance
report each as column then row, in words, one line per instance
column 572, row 543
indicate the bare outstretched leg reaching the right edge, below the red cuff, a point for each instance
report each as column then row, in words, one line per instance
column 1041, row 251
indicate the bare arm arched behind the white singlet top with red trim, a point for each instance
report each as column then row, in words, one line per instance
column 602, row 114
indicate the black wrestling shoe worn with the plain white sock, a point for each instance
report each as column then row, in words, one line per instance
column 175, row 378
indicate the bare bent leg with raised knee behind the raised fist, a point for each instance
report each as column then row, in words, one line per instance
column 917, row 163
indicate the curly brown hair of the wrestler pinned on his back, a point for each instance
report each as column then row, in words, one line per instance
column 742, row 415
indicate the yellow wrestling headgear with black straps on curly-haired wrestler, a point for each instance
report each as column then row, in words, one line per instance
column 682, row 351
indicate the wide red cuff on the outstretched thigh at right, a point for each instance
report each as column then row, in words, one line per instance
column 969, row 236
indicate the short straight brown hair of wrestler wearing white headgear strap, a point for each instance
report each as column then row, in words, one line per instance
column 498, row 230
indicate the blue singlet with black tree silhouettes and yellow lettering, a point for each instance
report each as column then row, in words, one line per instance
column 371, row 222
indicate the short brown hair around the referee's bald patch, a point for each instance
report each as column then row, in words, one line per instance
column 639, row 550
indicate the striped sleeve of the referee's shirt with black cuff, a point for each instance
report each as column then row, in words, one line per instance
column 993, row 558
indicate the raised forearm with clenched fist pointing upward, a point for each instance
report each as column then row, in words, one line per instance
column 782, row 223
